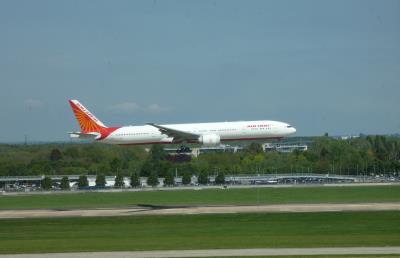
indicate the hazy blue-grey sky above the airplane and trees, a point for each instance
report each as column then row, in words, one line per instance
column 322, row 66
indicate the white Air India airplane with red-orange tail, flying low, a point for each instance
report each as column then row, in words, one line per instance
column 208, row 134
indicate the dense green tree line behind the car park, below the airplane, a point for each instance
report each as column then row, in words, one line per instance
column 363, row 155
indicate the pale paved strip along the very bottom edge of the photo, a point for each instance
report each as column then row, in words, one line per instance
column 220, row 252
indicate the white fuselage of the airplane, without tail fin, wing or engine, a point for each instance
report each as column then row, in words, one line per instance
column 226, row 131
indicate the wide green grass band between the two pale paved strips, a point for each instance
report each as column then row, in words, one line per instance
column 200, row 232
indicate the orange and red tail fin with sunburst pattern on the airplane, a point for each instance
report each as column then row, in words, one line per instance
column 86, row 120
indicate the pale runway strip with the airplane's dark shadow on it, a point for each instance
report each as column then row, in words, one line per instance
column 6, row 214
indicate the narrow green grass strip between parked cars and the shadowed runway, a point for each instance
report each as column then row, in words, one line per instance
column 206, row 196
